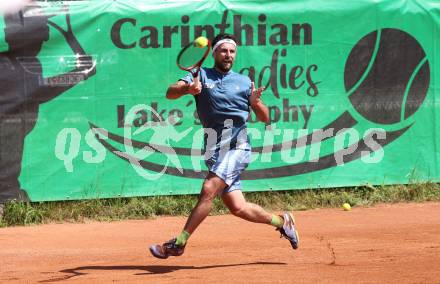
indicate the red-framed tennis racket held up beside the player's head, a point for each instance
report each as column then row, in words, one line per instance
column 191, row 57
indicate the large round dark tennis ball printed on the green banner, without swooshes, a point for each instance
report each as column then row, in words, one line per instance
column 391, row 87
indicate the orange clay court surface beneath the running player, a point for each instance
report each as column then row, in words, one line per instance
column 383, row 244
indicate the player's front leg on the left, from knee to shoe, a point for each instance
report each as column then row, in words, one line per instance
column 212, row 186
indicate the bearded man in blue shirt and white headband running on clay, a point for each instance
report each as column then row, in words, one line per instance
column 224, row 99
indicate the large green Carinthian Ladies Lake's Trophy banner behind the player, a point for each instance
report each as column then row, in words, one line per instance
column 352, row 88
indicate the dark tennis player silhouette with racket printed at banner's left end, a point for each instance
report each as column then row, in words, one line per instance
column 23, row 88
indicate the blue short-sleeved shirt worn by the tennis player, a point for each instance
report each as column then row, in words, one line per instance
column 223, row 106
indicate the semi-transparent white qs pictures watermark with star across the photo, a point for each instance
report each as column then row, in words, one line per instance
column 296, row 146
